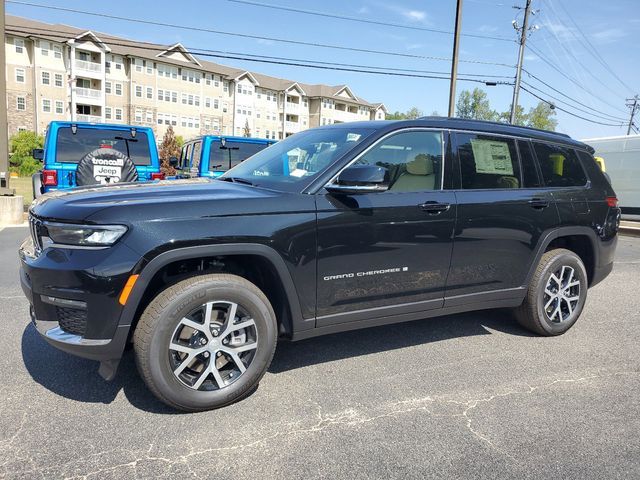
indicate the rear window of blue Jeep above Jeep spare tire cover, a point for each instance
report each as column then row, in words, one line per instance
column 70, row 147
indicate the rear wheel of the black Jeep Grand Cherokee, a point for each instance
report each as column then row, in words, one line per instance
column 532, row 314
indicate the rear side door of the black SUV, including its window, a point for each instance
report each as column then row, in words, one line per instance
column 499, row 223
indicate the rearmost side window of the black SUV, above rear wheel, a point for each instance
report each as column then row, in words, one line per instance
column 559, row 165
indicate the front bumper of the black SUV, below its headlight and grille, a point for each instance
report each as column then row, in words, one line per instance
column 59, row 281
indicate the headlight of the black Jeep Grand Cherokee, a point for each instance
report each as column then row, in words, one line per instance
column 83, row 235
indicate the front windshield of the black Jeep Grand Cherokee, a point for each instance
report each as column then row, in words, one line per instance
column 293, row 163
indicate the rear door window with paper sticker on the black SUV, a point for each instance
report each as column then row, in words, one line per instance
column 488, row 162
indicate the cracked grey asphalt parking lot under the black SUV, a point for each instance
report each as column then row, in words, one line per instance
column 463, row 396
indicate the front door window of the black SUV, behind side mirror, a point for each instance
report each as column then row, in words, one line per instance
column 412, row 159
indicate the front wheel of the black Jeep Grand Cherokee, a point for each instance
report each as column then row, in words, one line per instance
column 205, row 342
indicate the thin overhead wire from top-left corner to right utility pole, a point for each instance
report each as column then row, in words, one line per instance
column 242, row 35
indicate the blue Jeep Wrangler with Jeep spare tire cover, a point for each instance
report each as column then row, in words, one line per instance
column 78, row 154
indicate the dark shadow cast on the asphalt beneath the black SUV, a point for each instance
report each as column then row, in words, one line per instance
column 77, row 379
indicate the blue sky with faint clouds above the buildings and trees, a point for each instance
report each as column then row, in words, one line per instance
column 595, row 48
